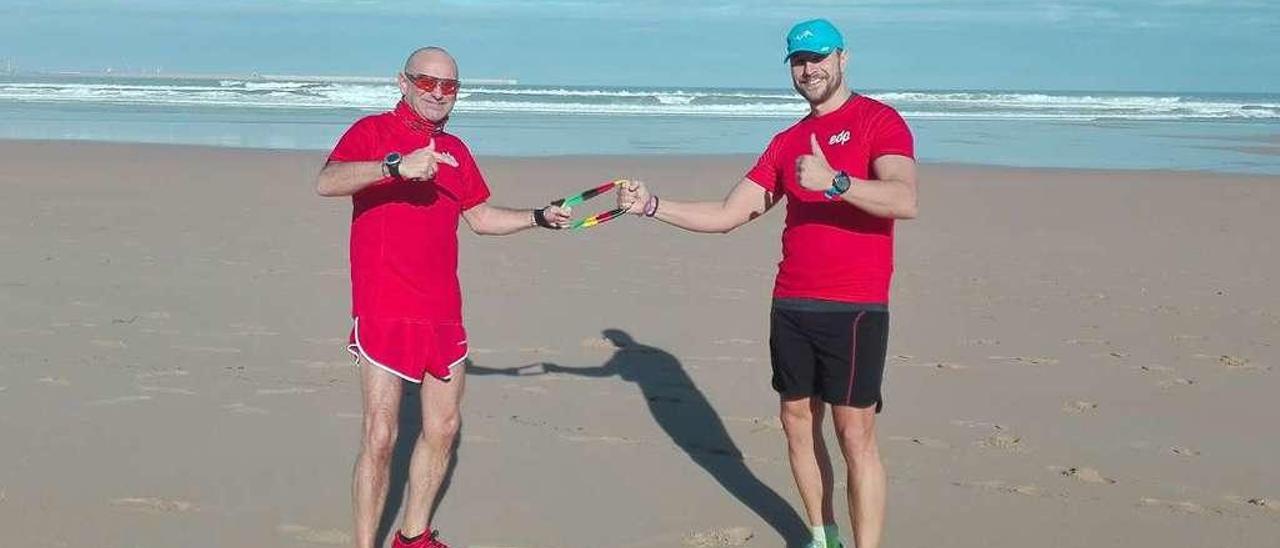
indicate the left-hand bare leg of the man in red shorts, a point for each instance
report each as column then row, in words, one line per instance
column 382, row 395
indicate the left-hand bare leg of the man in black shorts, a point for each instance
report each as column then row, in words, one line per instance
column 811, row 464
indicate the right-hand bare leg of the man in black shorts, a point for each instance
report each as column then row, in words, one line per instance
column 856, row 428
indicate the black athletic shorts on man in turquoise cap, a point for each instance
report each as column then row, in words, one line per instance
column 831, row 350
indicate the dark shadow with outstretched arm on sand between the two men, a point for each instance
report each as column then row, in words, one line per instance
column 687, row 417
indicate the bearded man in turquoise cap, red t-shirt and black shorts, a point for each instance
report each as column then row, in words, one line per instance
column 847, row 172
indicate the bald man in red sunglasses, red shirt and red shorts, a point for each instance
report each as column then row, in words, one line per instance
column 410, row 182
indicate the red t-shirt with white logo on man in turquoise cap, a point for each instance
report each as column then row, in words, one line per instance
column 833, row 250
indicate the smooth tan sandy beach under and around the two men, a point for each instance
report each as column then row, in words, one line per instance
column 1078, row 359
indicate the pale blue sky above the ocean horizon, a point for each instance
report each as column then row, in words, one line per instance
column 1136, row 45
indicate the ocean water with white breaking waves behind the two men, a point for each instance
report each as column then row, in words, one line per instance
column 1224, row 133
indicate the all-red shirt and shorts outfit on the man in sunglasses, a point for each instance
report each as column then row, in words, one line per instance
column 405, row 286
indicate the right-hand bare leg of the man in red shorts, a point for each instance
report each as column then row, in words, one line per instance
column 433, row 450
